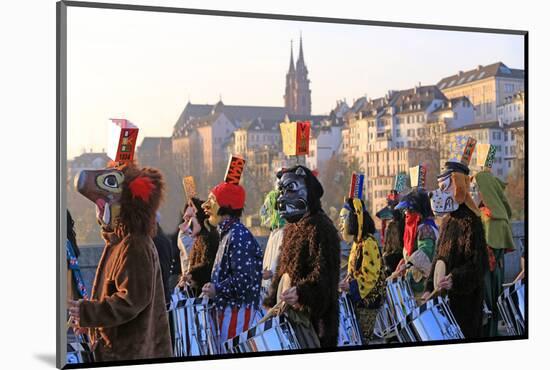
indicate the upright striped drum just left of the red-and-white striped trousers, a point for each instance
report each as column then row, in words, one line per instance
column 194, row 326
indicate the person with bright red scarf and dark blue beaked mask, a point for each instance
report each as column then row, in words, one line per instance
column 419, row 239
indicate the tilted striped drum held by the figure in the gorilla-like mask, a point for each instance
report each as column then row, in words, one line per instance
column 274, row 334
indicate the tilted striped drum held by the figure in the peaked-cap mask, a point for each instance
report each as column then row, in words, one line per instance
column 431, row 321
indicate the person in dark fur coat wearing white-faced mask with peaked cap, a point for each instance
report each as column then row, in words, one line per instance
column 461, row 246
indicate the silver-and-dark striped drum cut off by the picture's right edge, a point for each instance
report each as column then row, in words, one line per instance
column 511, row 306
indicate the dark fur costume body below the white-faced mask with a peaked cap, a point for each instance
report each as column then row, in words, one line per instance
column 463, row 248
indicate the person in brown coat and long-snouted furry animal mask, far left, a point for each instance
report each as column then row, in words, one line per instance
column 126, row 314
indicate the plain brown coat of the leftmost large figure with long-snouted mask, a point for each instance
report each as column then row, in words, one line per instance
column 127, row 314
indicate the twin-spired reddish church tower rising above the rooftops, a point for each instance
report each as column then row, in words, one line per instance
column 297, row 93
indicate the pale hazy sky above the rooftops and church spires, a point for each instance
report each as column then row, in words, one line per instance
column 146, row 66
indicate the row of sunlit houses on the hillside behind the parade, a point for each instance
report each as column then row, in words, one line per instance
column 383, row 135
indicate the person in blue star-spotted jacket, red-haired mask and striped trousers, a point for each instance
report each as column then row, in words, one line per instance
column 237, row 271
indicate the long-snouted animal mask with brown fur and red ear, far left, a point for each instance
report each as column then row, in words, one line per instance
column 125, row 195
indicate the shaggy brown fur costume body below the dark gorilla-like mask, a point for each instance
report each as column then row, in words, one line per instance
column 310, row 254
